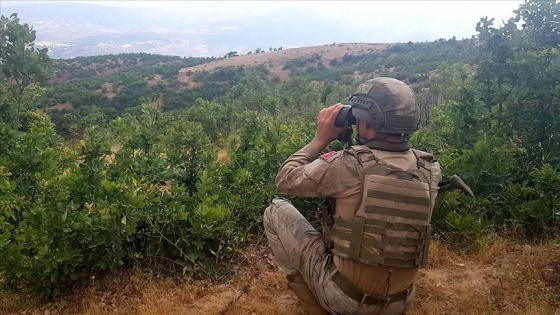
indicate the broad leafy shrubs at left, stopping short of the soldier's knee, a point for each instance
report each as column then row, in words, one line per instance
column 63, row 221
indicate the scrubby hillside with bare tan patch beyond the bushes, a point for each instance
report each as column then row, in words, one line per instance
column 114, row 83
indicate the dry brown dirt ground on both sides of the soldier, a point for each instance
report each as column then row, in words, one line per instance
column 502, row 278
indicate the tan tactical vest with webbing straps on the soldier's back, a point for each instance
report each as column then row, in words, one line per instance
column 391, row 226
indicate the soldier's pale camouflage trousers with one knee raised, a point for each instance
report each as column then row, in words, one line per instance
column 299, row 248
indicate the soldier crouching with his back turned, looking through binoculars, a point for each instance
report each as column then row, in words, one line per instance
column 375, row 235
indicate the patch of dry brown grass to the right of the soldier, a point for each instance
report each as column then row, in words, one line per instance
column 500, row 278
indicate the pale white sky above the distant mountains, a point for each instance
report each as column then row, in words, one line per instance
column 440, row 19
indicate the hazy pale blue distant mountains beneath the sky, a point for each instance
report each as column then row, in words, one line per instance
column 78, row 29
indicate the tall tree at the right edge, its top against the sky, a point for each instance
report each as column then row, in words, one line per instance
column 518, row 74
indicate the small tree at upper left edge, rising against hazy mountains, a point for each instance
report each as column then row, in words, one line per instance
column 21, row 63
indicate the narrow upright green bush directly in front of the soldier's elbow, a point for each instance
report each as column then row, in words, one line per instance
column 256, row 151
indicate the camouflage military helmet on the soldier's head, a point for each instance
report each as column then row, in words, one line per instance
column 387, row 104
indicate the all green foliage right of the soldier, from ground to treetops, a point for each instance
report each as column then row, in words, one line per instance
column 497, row 129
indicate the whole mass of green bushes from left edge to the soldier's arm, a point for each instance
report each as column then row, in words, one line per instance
column 149, row 188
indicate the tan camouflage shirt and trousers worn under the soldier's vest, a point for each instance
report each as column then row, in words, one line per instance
column 298, row 247
